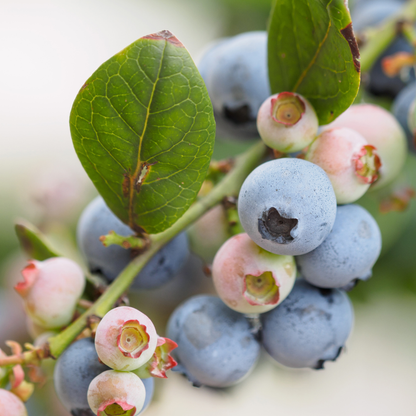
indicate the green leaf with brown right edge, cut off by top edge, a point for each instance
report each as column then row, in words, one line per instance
column 312, row 51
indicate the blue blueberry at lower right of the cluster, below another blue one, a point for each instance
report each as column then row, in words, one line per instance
column 310, row 327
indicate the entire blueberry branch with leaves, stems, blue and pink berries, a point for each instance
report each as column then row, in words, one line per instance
column 286, row 228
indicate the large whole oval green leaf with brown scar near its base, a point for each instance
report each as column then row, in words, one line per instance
column 143, row 128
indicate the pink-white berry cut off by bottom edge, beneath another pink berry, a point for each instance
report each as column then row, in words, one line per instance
column 116, row 393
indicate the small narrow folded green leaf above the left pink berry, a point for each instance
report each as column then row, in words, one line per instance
column 33, row 242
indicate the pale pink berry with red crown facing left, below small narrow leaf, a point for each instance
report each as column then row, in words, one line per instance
column 50, row 290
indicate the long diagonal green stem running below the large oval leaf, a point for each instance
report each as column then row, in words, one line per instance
column 230, row 185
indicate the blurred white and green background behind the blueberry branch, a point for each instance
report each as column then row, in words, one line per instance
column 48, row 49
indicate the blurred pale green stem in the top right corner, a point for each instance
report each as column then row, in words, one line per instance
column 379, row 39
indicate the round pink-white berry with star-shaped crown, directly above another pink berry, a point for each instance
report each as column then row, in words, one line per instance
column 125, row 339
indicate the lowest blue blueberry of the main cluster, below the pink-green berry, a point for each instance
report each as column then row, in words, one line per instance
column 215, row 345
